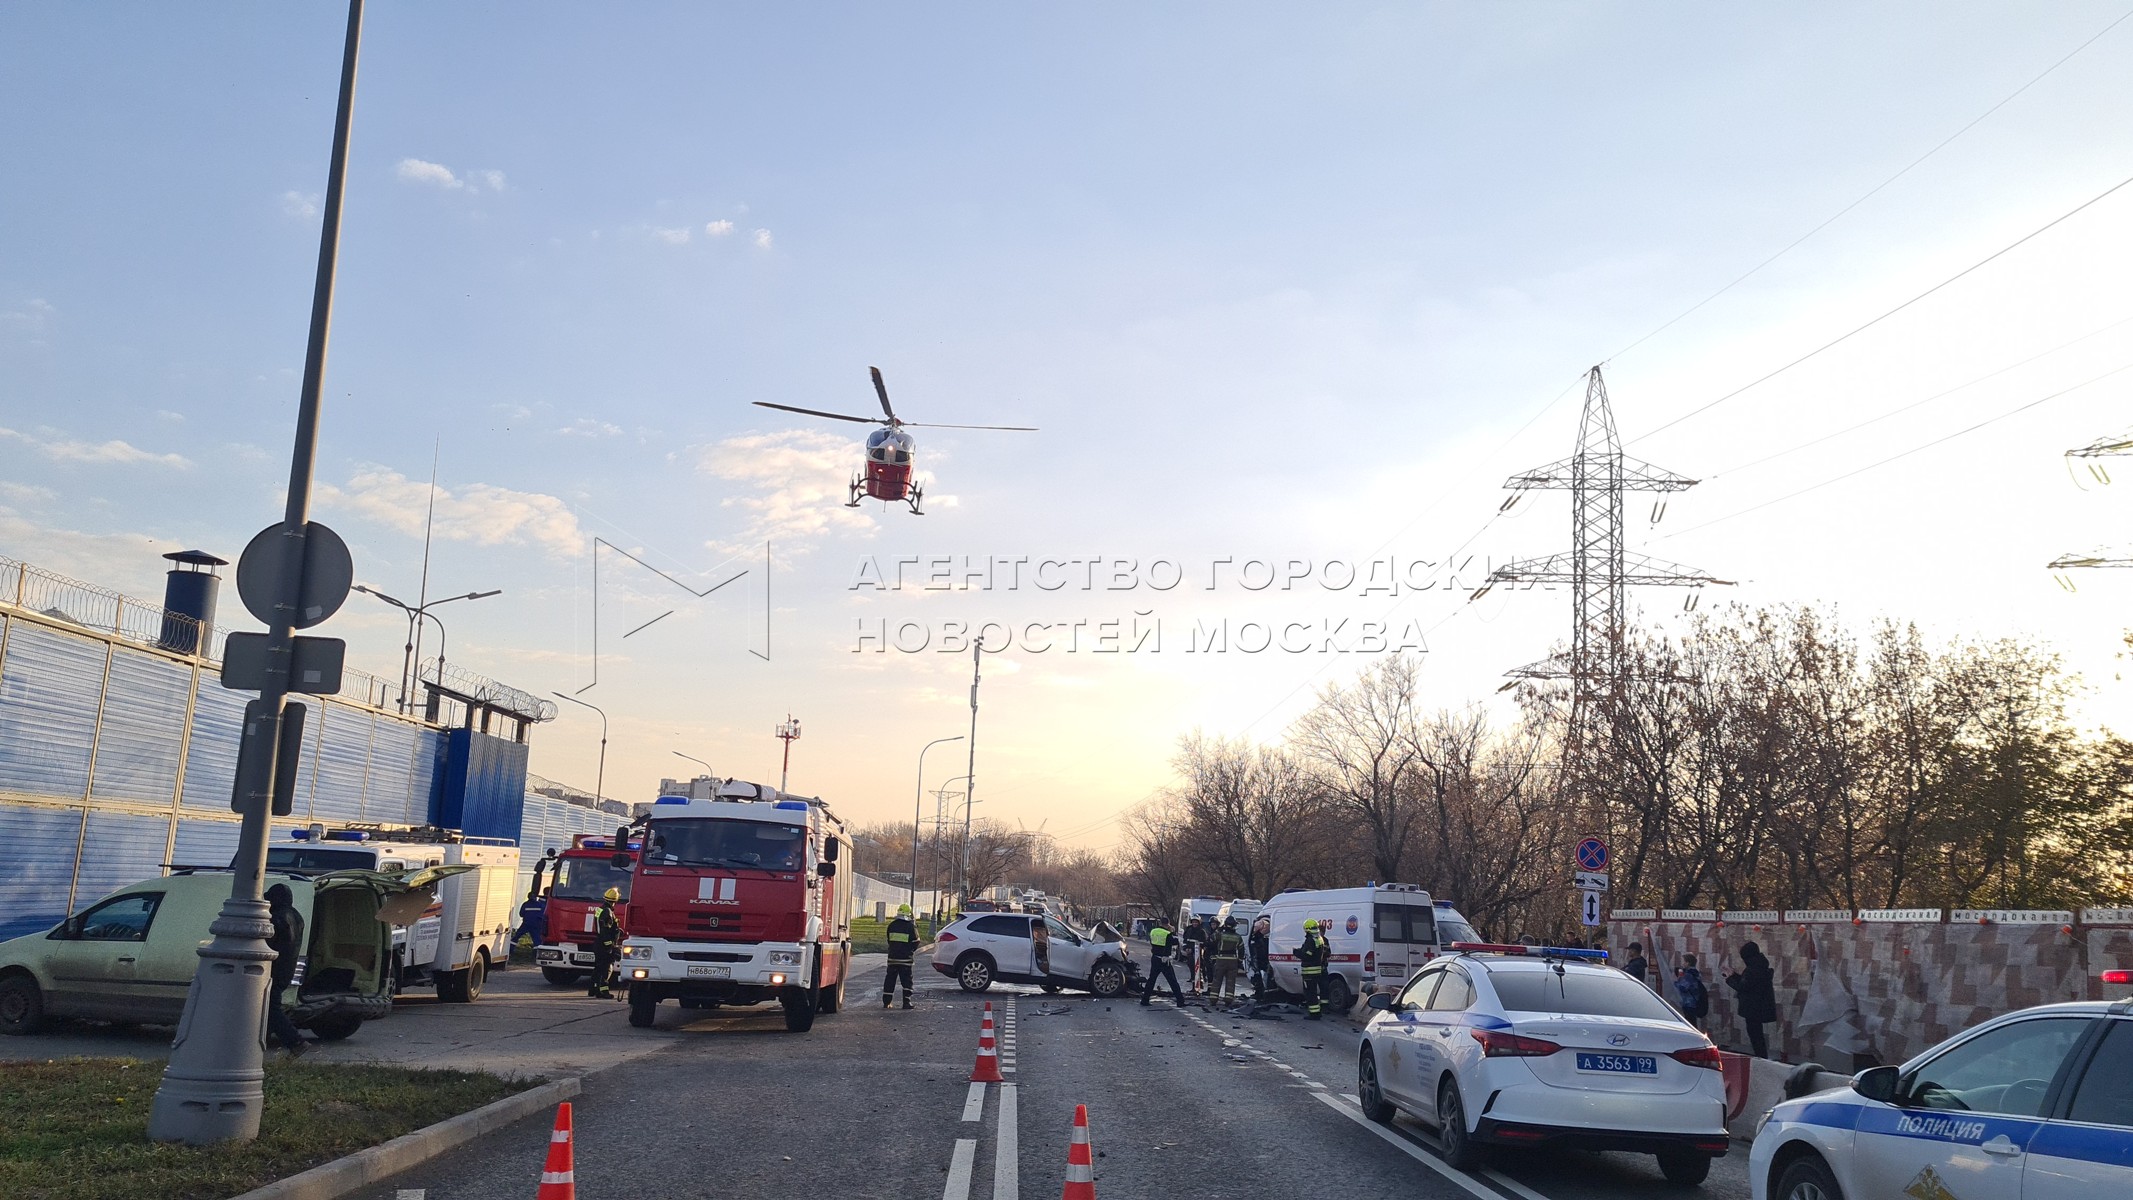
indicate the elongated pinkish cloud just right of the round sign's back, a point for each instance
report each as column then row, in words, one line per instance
column 475, row 513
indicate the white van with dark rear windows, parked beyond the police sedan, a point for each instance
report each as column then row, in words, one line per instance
column 1377, row 937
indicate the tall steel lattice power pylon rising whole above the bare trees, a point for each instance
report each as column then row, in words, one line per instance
column 1599, row 570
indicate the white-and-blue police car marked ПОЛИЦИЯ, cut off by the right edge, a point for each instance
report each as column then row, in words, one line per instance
column 2036, row 1105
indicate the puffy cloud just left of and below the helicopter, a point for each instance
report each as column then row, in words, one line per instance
column 795, row 485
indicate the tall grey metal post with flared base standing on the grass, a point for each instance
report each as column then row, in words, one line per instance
column 214, row 1084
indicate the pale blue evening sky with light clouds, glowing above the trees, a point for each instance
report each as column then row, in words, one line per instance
column 1287, row 293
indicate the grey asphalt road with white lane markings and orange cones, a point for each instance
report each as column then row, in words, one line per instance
column 878, row 1105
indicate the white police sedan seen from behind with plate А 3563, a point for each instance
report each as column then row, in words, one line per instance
column 1539, row 1045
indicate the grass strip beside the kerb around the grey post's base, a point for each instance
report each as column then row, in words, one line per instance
column 78, row 1129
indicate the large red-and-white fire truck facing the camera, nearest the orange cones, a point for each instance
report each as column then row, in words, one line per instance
column 737, row 901
